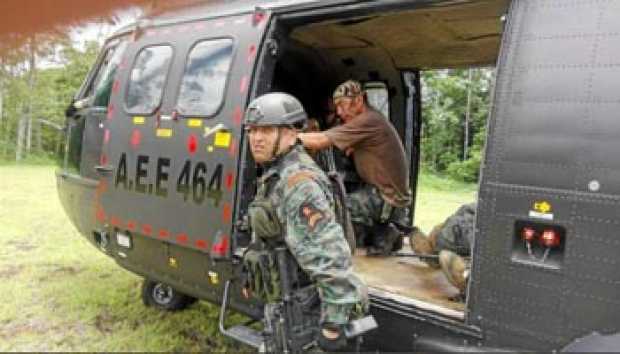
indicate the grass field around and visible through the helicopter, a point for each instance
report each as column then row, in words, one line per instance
column 61, row 294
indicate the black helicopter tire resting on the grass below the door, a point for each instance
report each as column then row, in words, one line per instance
column 164, row 297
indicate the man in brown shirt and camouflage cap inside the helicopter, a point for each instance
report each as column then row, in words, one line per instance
column 379, row 159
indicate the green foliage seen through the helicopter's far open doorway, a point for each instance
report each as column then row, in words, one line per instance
column 444, row 107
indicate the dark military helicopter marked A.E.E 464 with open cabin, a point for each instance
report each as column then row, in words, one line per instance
column 157, row 173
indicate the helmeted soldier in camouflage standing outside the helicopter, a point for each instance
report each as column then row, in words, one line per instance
column 294, row 206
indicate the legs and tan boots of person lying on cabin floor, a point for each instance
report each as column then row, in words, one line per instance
column 452, row 240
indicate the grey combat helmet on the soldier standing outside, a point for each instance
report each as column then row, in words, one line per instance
column 276, row 109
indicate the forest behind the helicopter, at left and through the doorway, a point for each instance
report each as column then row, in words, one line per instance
column 39, row 78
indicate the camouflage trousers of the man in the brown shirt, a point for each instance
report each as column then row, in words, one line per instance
column 368, row 208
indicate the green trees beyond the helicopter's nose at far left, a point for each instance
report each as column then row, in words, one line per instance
column 49, row 94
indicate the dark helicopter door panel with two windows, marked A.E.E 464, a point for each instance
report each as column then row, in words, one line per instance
column 169, row 160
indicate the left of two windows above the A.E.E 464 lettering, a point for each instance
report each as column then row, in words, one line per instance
column 148, row 77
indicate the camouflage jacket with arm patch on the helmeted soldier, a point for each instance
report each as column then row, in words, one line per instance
column 300, row 193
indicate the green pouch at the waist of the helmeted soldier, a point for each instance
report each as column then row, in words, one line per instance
column 262, row 275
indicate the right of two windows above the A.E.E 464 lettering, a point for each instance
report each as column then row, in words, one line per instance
column 204, row 80
